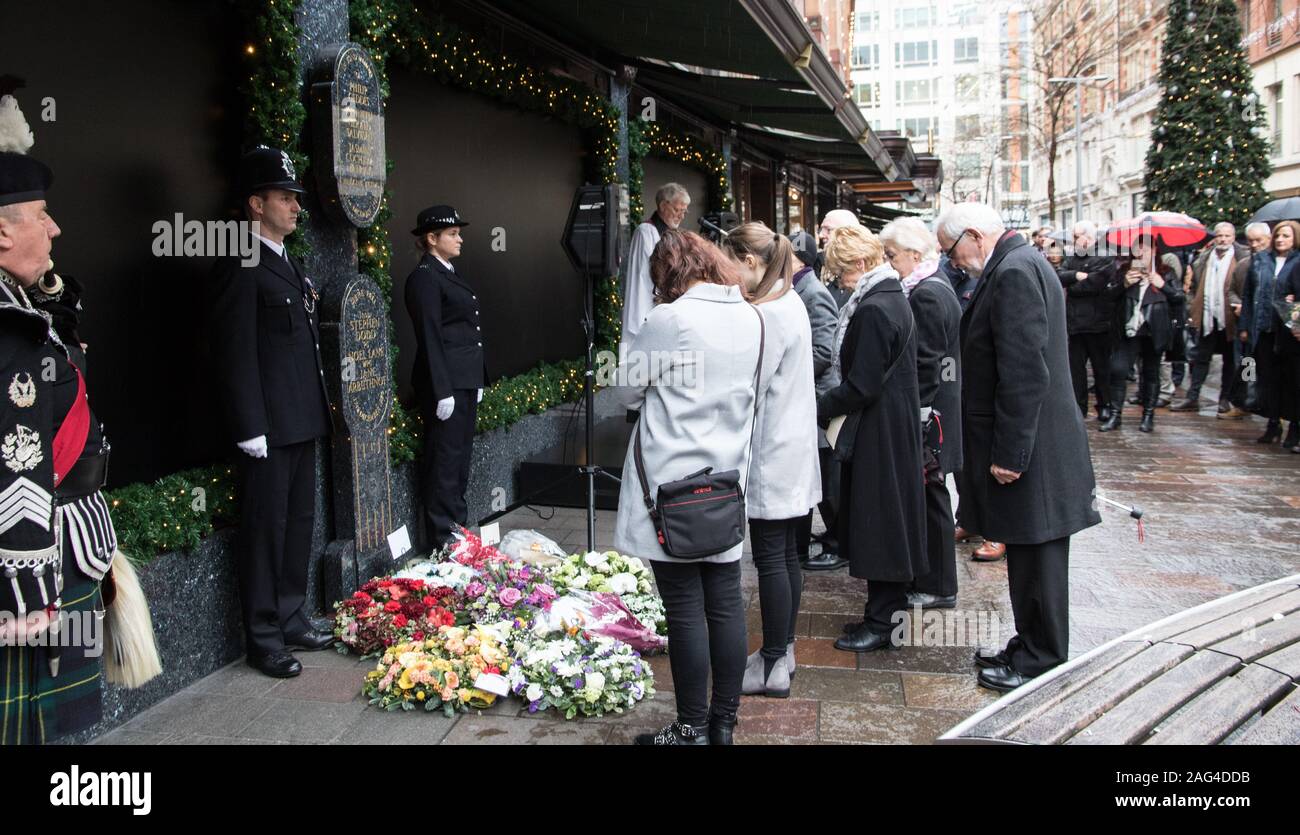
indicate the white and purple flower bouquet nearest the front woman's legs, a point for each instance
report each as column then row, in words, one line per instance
column 578, row 674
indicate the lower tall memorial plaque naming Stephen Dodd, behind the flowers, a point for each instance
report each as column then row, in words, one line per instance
column 366, row 387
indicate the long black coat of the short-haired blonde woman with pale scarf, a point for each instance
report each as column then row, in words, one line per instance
column 883, row 513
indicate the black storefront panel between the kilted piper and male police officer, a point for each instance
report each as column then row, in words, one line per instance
column 148, row 126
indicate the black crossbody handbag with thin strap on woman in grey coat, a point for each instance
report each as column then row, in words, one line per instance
column 703, row 514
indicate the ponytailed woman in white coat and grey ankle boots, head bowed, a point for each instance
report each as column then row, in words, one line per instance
column 785, row 475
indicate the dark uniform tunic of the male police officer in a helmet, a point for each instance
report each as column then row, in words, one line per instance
column 268, row 360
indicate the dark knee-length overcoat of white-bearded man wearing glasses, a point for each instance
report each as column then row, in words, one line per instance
column 1019, row 406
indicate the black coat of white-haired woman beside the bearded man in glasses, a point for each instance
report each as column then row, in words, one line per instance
column 939, row 362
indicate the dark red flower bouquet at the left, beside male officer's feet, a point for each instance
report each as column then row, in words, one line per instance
column 392, row 611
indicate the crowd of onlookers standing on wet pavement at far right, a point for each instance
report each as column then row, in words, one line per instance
column 1159, row 315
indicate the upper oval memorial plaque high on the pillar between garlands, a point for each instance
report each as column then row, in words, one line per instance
column 348, row 113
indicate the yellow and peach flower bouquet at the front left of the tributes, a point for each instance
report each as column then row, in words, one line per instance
column 439, row 673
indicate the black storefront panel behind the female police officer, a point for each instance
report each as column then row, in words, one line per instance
column 506, row 172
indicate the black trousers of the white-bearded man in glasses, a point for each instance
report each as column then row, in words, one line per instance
column 1039, row 577
